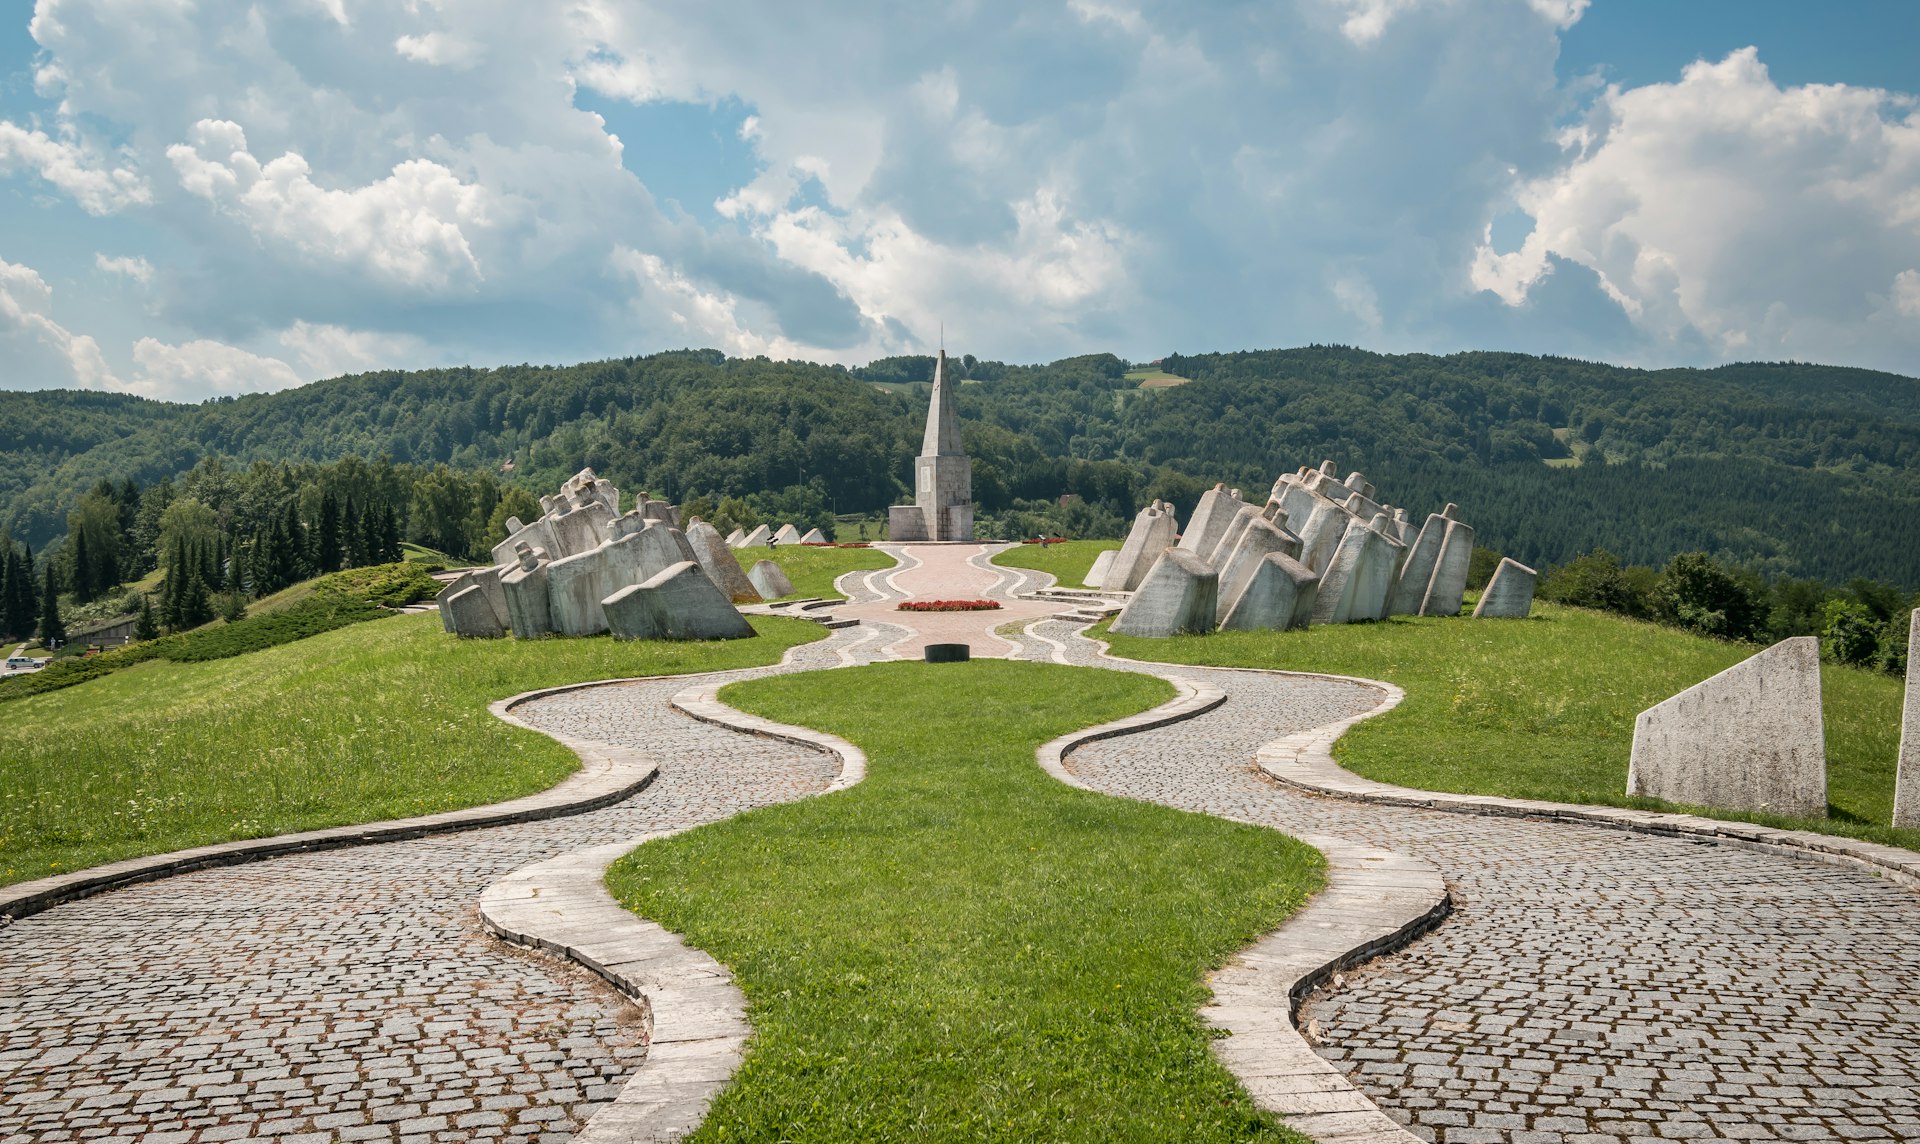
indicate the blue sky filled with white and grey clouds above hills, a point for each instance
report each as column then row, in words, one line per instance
column 218, row 197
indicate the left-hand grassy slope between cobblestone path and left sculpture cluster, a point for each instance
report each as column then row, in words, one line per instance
column 375, row 721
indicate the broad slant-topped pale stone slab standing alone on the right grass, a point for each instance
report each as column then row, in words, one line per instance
column 1750, row 738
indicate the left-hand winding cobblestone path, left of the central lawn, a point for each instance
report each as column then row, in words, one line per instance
column 352, row 995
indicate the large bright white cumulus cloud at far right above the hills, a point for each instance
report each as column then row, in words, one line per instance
column 1764, row 222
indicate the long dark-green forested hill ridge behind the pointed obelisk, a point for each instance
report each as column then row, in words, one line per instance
column 1785, row 467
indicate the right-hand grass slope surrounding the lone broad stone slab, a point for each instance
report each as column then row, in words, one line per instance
column 1545, row 707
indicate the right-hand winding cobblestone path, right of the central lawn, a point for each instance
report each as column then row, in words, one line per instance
column 1593, row 986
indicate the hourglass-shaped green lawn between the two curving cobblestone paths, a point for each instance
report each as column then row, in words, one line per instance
column 961, row 947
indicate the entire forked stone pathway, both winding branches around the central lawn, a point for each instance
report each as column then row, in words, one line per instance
column 1591, row 988
